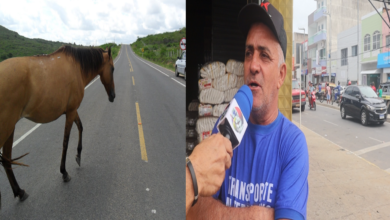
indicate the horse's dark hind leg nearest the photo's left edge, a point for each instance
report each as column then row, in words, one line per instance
column 7, row 156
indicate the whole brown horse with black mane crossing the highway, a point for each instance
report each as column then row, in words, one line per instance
column 41, row 89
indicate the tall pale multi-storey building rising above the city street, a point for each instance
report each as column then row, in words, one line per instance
column 330, row 18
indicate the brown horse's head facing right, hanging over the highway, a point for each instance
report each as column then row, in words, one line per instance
column 107, row 75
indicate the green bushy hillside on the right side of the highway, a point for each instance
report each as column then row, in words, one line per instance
column 162, row 49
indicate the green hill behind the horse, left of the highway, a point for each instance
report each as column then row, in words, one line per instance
column 14, row 45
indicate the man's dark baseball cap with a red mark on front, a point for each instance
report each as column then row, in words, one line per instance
column 266, row 14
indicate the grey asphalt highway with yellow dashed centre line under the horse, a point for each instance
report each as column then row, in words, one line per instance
column 121, row 176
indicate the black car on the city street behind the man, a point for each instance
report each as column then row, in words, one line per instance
column 363, row 103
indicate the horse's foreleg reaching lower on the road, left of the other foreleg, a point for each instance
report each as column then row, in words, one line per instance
column 70, row 117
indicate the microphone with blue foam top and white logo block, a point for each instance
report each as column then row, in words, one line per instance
column 233, row 121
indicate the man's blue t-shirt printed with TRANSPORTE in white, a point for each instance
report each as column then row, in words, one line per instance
column 269, row 168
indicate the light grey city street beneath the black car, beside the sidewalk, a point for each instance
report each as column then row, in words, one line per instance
column 370, row 142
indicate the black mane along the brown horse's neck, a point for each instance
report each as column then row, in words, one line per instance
column 90, row 59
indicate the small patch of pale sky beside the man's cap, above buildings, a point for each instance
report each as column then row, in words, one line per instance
column 301, row 11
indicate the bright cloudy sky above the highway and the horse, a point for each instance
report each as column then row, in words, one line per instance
column 92, row 22
